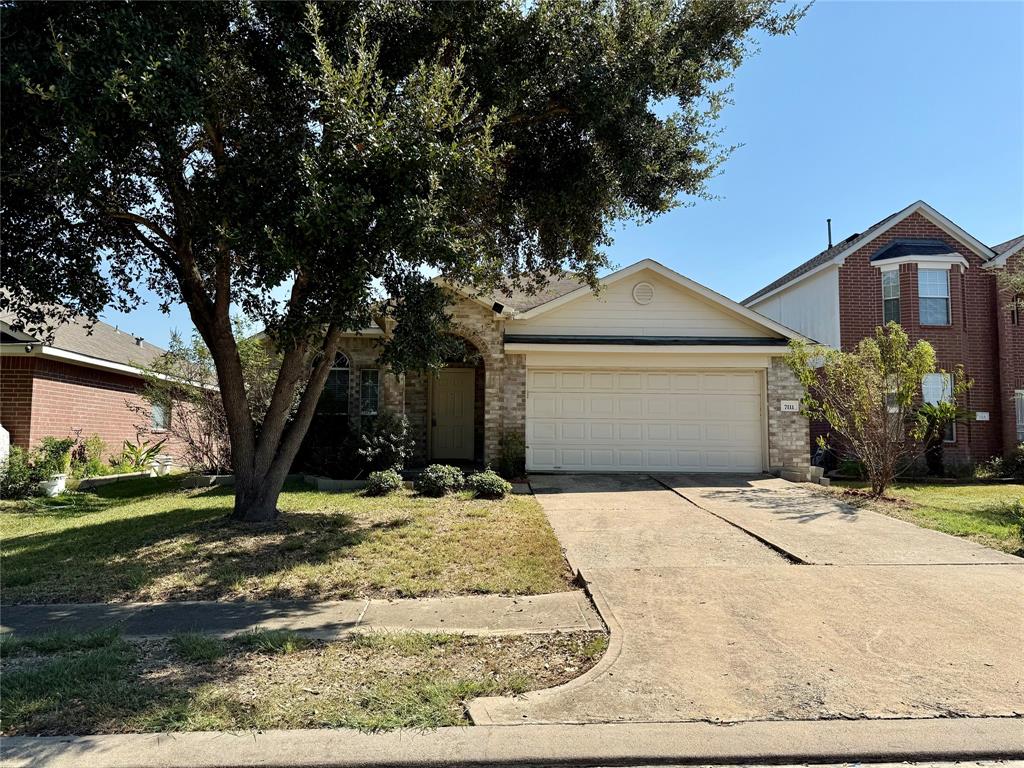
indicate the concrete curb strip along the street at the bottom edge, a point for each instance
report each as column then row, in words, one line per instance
column 599, row 745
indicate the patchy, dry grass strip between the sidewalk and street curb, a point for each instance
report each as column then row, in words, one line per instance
column 103, row 684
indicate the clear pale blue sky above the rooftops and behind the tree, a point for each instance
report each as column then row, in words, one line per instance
column 868, row 108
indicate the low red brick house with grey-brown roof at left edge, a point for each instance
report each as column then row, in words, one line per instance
column 80, row 382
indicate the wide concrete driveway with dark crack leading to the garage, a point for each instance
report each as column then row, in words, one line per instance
column 770, row 602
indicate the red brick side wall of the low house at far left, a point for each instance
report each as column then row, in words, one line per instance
column 40, row 398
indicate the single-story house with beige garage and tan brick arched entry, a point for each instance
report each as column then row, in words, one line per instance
column 657, row 373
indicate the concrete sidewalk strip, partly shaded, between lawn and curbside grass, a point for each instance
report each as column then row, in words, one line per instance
column 484, row 615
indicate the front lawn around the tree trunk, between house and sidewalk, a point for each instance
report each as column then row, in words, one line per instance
column 150, row 540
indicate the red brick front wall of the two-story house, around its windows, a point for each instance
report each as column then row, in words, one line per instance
column 971, row 339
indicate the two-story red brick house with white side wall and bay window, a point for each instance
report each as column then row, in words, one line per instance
column 940, row 283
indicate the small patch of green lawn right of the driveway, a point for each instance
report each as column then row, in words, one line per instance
column 982, row 513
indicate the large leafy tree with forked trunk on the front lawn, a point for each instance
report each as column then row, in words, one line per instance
column 296, row 162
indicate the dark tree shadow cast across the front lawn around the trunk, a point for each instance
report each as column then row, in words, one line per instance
column 118, row 560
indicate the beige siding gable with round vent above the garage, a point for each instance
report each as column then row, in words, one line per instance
column 674, row 311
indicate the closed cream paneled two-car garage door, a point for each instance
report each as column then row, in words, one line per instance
column 697, row 421
